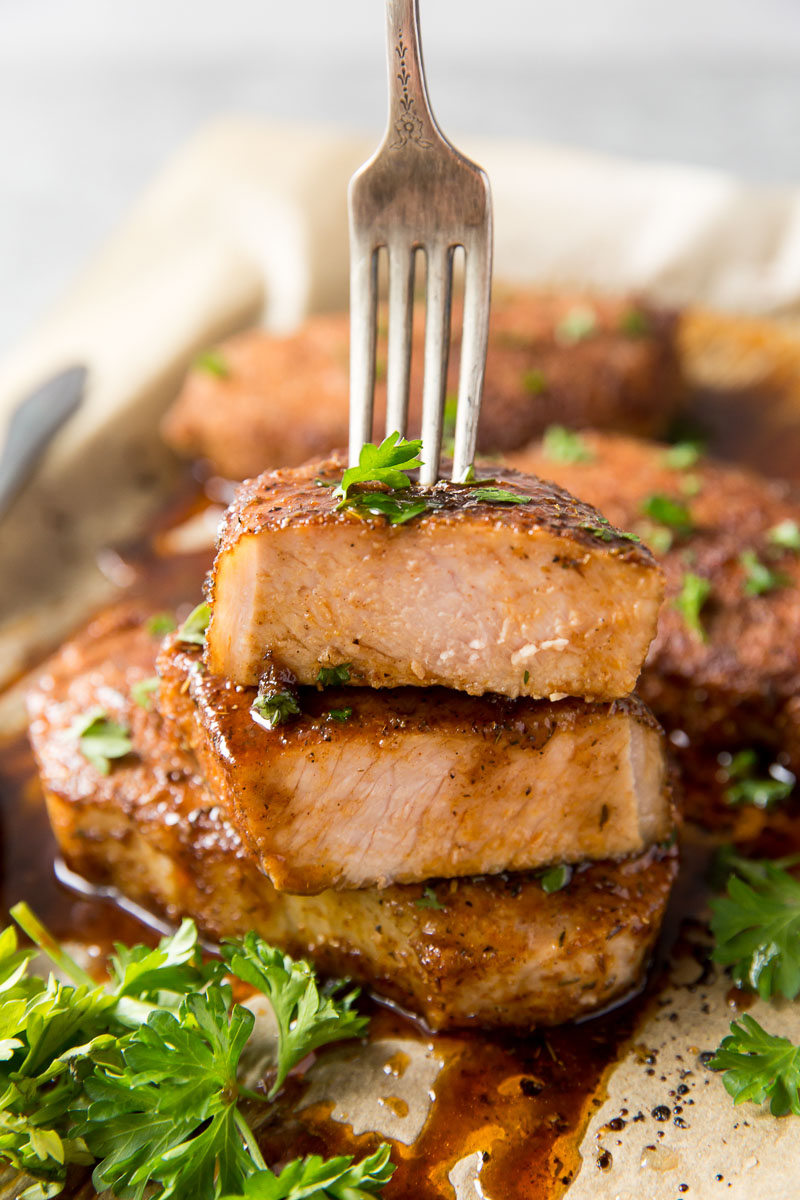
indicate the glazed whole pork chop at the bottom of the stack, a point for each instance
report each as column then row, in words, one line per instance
column 491, row 952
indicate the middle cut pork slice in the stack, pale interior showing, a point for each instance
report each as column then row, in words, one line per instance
column 375, row 788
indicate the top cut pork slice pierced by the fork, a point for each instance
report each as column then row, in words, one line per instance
column 530, row 599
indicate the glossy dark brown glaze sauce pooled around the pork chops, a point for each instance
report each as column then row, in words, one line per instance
column 524, row 1103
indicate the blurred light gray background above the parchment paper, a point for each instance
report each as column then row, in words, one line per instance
column 95, row 95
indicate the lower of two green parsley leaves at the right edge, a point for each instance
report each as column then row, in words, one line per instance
column 760, row 1066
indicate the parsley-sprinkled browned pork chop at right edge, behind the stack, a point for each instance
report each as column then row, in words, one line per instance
column 725, row 667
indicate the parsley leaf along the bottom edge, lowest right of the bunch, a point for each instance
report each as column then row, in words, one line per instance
column 315, row 1179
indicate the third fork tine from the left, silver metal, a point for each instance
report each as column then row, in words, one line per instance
column 437, row 346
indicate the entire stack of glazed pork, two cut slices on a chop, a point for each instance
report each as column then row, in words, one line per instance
column 408, row 751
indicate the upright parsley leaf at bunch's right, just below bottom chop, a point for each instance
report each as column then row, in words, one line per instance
column 306, row 1017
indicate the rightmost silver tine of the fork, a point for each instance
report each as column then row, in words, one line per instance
column 478, row 286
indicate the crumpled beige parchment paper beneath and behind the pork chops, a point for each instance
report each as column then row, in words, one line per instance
column 248, row 225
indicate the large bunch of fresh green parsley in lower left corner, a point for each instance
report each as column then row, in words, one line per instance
column 141, row 1079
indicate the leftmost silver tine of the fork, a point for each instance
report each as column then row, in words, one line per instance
column 364, row 311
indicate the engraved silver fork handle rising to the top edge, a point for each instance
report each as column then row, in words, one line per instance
column 411, row 121
